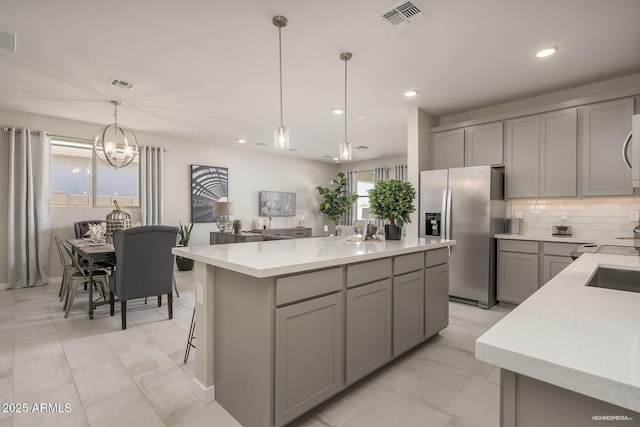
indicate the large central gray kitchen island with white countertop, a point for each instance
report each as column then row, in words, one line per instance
column 283, row 325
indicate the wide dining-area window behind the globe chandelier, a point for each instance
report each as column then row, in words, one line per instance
column 78, row 180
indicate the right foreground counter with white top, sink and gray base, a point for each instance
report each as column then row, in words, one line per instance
column 570, row 353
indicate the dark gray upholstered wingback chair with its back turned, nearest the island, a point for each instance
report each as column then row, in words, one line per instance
column 144, row 265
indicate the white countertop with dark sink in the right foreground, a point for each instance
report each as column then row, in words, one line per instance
column 581, row 338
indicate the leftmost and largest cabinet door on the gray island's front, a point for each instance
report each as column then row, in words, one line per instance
column 309, row 354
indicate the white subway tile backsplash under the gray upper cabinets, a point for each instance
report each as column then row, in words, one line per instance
column 601, row 218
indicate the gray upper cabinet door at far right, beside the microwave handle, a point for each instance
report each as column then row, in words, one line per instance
column 605, row 125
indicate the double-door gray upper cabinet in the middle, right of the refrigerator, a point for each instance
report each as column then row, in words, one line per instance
column 541, row 155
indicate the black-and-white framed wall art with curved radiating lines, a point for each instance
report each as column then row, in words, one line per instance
column 209, row 184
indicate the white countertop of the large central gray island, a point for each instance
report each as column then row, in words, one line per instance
column 278, row 257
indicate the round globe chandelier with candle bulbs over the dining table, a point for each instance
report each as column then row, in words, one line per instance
column 115, row 145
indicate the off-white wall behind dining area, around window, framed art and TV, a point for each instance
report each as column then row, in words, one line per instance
column 249, row 173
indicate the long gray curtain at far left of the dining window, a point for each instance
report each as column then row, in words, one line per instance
column 29, row 208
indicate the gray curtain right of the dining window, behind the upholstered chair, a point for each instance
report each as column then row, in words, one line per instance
column 151, row 185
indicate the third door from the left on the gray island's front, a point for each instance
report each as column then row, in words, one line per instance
column 408, row 311
